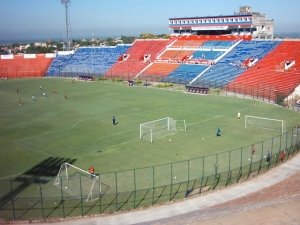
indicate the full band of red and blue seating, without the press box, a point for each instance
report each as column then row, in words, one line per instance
column 179, row 60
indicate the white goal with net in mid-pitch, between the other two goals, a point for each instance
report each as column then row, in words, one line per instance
column 160, row 128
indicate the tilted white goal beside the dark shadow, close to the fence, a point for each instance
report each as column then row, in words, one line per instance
column 78, row 183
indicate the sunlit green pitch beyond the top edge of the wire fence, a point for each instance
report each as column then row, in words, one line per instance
column 77, row 127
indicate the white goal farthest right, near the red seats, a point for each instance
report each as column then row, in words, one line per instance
column 265, row 123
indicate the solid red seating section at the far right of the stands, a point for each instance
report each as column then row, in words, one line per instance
column 266, row 79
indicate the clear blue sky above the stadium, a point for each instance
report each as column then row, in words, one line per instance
column 45, row 19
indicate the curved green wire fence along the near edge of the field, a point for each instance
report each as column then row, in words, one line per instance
column 38, row 199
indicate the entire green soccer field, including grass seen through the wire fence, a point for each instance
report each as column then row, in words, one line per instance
column 38, row 136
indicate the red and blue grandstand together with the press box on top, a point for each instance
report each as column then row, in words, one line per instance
column 236, row 53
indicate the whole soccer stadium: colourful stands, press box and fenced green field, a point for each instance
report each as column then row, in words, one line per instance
column 96, row 131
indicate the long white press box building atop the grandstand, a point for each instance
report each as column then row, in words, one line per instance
column 243, row 22
